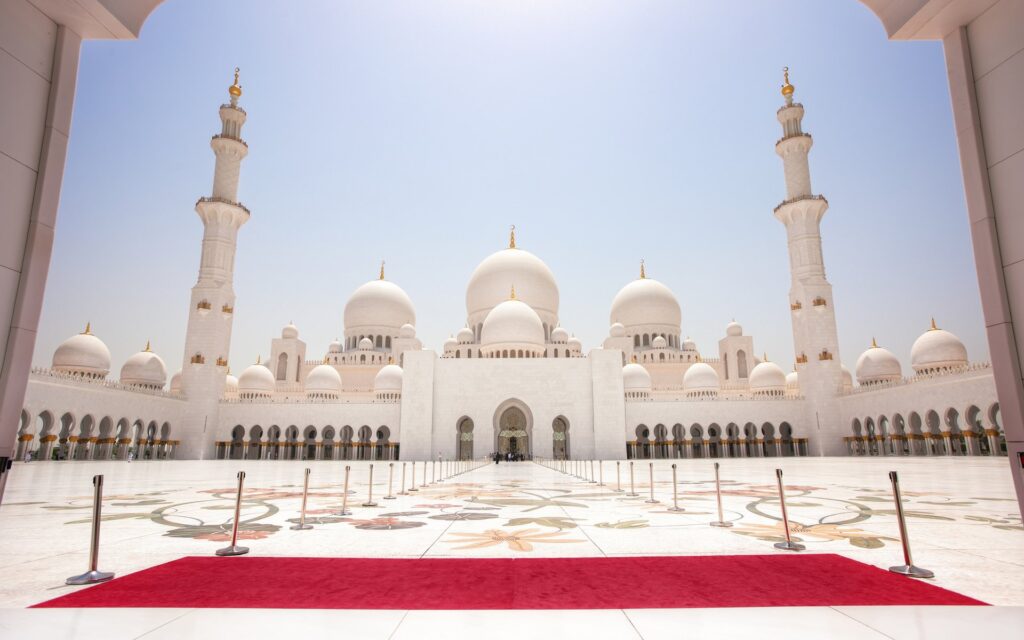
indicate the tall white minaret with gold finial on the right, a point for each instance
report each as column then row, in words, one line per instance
column 815, row 335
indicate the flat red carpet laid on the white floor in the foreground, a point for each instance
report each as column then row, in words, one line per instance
column 814, row 580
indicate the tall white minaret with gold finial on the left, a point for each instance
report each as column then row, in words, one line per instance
column 212, row 311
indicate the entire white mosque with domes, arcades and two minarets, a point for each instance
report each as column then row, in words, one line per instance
column 513, row 379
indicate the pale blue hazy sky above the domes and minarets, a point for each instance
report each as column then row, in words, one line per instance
column 417, row 133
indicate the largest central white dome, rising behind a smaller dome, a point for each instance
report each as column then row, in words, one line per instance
column 535, row 284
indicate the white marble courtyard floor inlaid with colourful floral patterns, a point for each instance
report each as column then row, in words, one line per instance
column 963, row 522
